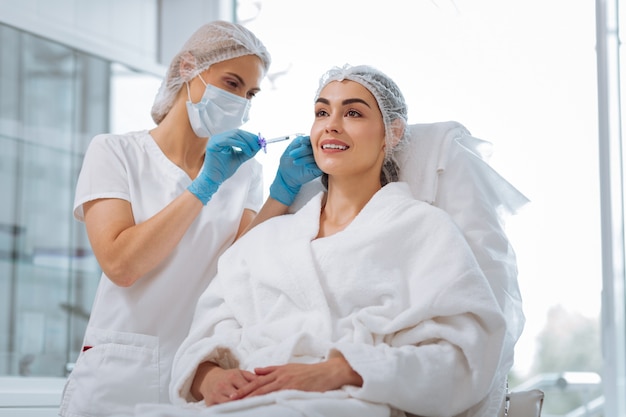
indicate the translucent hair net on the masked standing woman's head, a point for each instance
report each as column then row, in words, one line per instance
column 212, row 43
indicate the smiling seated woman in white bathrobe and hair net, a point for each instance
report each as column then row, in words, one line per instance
column 365, row 302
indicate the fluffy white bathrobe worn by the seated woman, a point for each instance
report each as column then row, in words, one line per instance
column 398, row 293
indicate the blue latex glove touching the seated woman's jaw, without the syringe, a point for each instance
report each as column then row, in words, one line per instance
column 297, row 166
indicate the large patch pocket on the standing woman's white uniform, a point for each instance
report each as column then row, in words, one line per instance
column 116, row 371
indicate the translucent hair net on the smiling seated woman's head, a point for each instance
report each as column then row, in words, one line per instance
column 387, row 94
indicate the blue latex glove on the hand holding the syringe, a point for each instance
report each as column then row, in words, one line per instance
column 225, row 152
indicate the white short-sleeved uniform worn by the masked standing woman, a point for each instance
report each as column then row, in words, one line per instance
column 133, row 332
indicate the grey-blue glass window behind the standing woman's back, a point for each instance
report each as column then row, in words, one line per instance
column 53, row 101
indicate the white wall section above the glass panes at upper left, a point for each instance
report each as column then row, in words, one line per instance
column 139, row 33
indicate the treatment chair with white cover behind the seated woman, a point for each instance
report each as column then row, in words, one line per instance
column 447, row 167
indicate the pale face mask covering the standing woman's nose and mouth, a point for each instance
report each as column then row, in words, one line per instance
column 217, row 111
